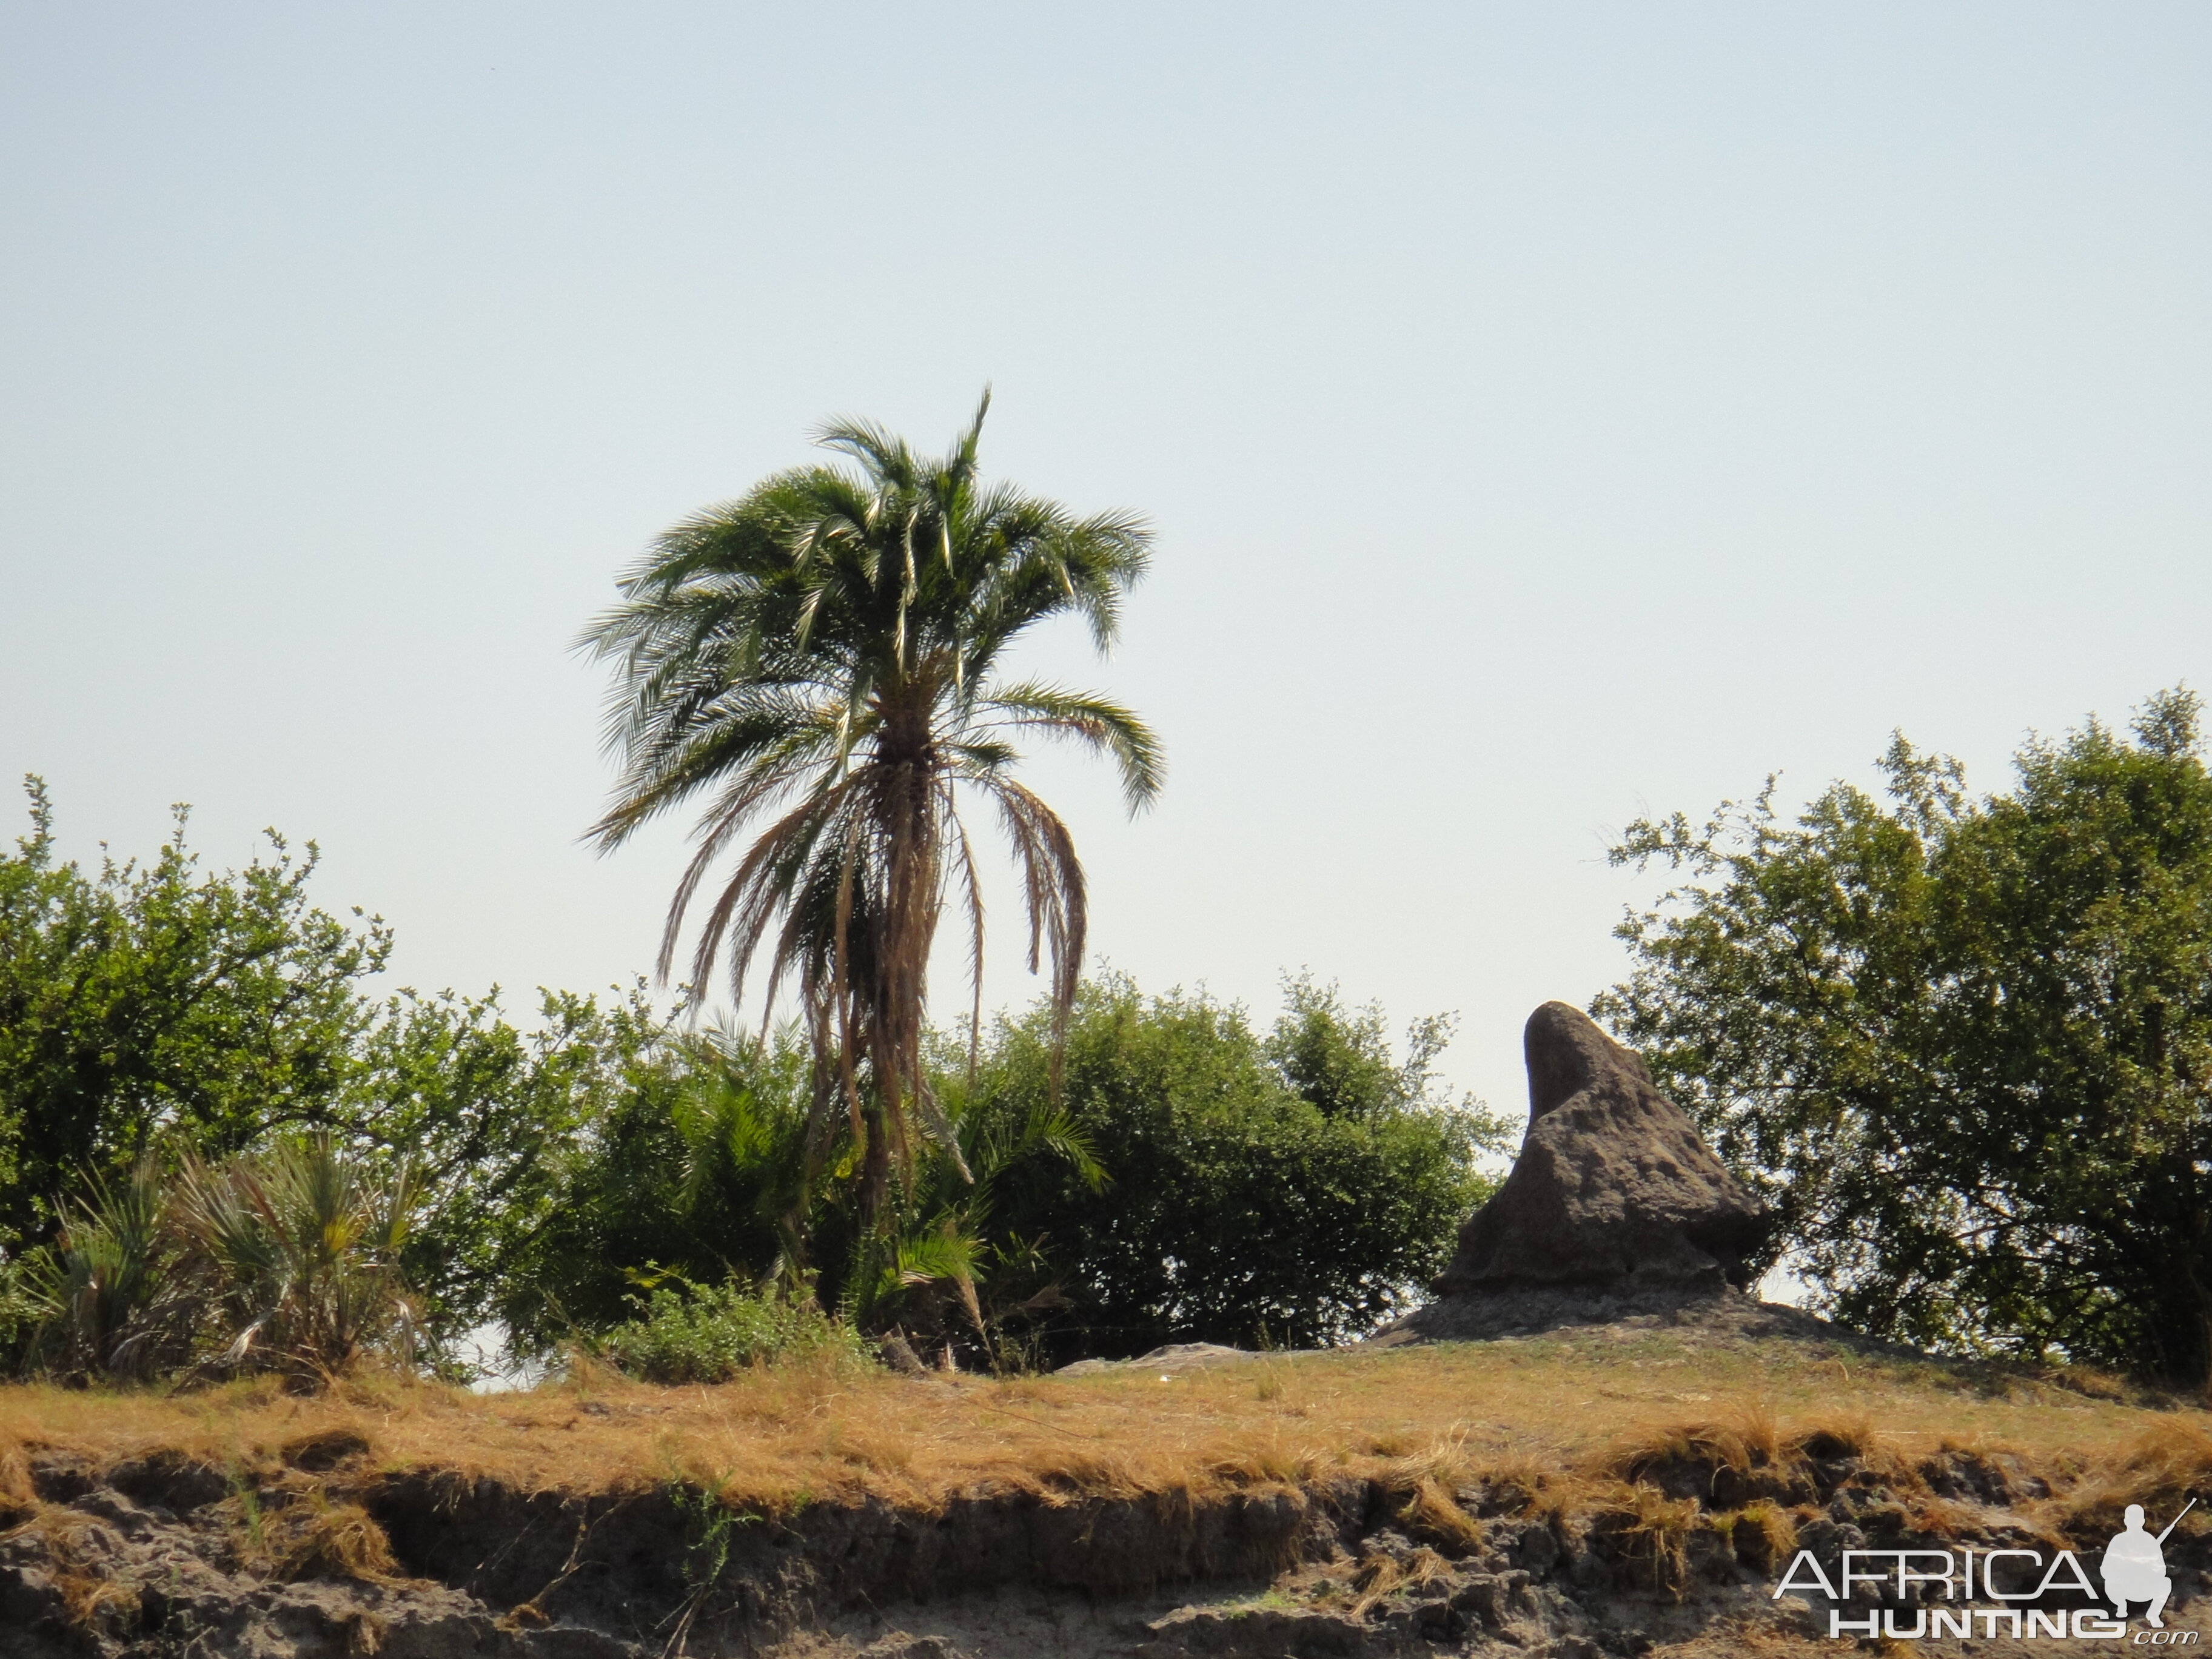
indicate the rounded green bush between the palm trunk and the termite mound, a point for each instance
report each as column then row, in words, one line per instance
column 1291, row 1189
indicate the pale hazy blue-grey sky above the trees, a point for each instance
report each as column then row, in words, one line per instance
column 1550, row 413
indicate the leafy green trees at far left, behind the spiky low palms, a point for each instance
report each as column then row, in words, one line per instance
column 158, row 1012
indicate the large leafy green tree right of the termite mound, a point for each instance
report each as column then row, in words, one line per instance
column 1963, row 1045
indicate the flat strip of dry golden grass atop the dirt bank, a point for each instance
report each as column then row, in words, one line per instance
column 1532, row 1426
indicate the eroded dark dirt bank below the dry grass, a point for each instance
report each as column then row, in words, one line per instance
column 1671, row 1547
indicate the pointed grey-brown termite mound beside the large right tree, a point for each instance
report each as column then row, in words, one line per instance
column 1614, row 1207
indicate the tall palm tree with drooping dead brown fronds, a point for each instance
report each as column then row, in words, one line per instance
column 820, row 660
